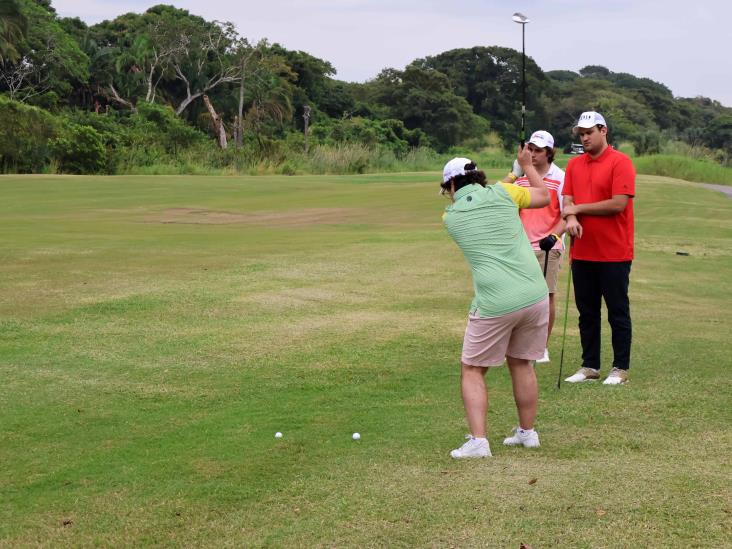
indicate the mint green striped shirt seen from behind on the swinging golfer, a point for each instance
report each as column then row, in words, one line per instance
column 485, row 224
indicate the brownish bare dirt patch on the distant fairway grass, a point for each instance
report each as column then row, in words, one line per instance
column 290, row 218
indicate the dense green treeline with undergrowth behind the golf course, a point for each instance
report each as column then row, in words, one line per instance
column 169, row 88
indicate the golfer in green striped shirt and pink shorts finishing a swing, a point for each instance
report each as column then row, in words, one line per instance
column 509, row 314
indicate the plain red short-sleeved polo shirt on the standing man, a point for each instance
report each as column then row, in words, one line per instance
column 604, row 237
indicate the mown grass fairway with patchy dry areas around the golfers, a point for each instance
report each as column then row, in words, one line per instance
column 155, row 332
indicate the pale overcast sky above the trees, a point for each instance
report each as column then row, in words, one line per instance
column 680, row 43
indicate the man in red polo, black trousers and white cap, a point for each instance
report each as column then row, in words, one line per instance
column 598, row 206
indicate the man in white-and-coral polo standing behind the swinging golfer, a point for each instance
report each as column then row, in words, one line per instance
column 544, row 226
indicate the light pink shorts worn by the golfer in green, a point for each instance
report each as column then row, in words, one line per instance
column 520, row 334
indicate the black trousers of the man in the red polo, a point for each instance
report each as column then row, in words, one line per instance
column 594, row 281
